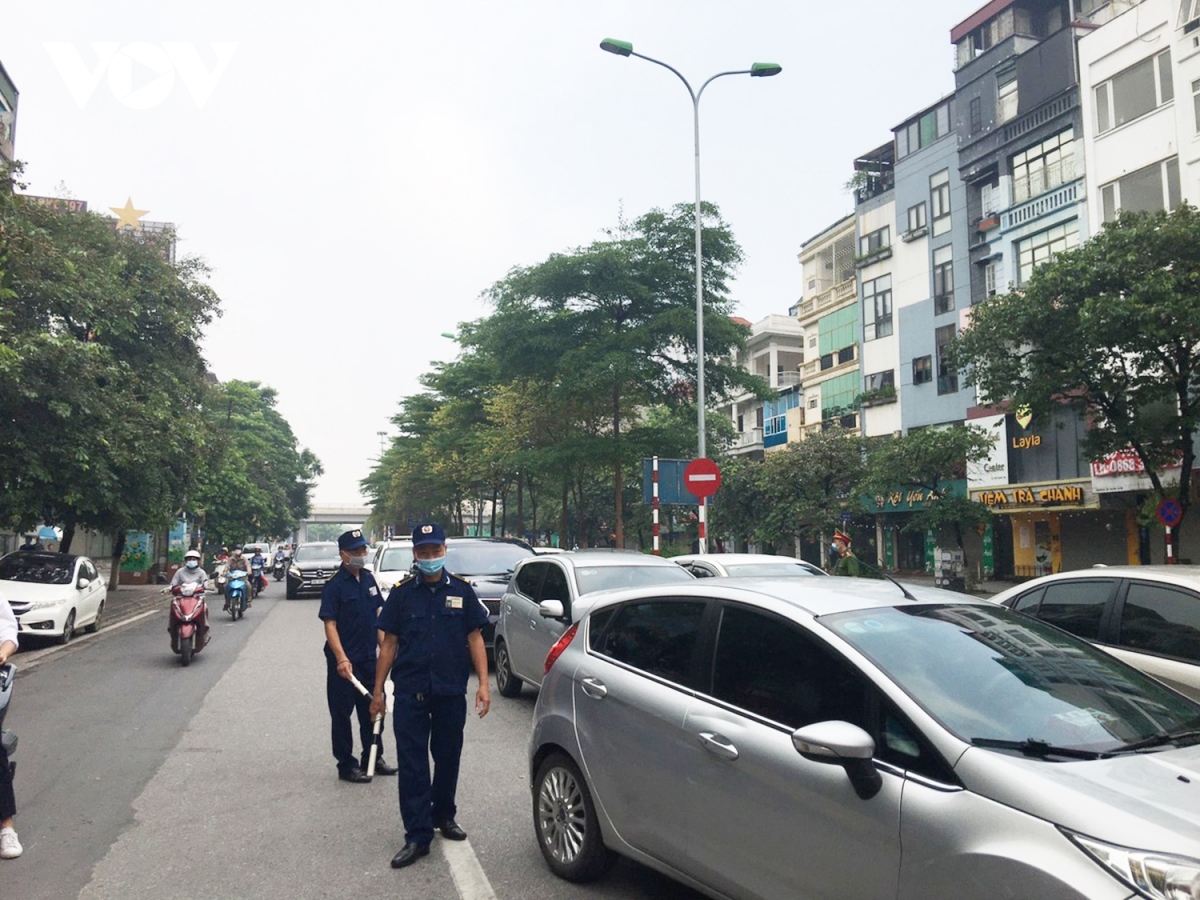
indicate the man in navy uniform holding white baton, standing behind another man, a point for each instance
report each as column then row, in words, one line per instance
column 350, row 608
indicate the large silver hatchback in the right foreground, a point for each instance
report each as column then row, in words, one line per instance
column 845, row 739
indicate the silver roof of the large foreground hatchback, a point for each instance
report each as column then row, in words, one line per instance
column 818, row 597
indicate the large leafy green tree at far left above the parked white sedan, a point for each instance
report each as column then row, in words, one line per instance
column 100, row 371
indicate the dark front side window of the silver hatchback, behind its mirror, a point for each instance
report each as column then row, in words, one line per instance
column 771, row 669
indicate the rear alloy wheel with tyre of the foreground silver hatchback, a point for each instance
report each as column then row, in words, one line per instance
column 566, row 821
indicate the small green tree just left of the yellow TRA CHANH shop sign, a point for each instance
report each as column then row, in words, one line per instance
column 928, row 460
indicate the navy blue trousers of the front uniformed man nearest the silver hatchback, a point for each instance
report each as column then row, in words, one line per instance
column 431, row 725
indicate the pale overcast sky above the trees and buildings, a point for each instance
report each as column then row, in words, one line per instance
column 358, row 173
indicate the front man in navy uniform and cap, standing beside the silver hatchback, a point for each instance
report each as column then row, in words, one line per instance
column 430, row 633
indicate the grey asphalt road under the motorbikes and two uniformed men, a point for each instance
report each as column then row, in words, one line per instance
column 139, row 778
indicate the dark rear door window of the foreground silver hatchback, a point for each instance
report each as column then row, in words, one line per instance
column 657, row 637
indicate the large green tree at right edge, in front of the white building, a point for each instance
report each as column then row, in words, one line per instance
column 1112, row 329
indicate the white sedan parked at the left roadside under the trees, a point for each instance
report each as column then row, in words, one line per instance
column 52, row 595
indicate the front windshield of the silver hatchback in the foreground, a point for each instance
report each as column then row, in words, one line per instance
column 989, row 675
